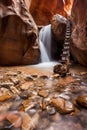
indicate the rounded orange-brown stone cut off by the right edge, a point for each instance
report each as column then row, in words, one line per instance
column 82, row 100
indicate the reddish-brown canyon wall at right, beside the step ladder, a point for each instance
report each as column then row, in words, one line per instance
column 79, row 31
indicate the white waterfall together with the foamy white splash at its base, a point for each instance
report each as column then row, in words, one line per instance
column 45, row 49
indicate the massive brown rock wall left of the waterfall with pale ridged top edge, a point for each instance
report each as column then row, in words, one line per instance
column 18, row 34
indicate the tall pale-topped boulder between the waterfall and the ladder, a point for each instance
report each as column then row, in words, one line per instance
column 58, row 27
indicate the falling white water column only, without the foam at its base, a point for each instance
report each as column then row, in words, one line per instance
column 45, row 43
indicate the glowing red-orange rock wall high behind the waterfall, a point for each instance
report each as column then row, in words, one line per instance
column 43, row 10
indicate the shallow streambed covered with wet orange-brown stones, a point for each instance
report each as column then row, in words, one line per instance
column 37, row 99
